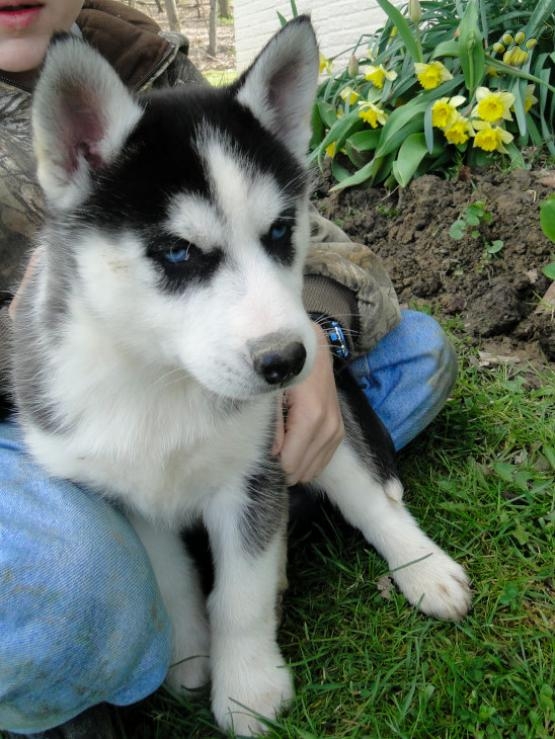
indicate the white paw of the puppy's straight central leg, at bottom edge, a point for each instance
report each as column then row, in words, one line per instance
column 249, row 689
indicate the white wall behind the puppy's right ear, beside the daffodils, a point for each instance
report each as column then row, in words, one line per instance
column 339, row 24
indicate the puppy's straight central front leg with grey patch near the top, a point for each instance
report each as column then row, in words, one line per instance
column 249, row 676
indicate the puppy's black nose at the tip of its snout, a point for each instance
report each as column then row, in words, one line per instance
column 277, row 359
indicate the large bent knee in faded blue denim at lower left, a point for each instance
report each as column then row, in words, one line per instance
column 81, row 616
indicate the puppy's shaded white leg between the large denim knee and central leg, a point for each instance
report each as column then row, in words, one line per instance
column 182, row 595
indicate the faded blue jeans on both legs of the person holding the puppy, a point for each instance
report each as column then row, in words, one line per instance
column 81, row 617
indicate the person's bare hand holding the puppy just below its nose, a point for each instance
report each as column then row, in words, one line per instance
column 306, row 441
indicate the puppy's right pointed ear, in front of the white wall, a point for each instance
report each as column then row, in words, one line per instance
column 280, row 85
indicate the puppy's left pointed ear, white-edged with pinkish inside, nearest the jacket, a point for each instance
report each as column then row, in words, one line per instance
column 82, row 115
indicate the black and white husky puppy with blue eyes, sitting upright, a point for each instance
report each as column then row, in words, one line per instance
column 163, row 318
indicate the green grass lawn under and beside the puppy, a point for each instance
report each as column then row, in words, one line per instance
column 481, row 482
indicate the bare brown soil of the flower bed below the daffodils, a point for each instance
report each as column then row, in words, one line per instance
column 498, row 297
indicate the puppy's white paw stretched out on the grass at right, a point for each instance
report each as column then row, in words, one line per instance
column 435, row 584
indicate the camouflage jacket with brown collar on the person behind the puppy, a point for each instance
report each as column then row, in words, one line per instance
column 343, row 279
